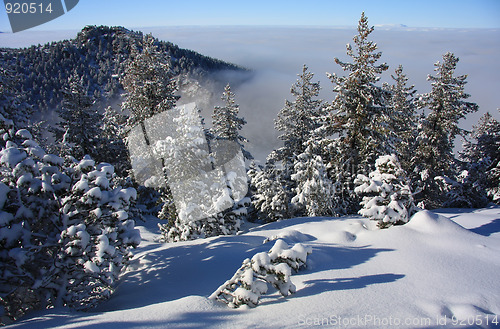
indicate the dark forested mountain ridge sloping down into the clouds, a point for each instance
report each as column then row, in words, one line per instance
column 97, row 54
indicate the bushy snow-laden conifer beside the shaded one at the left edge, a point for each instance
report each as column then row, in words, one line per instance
column 97, row 237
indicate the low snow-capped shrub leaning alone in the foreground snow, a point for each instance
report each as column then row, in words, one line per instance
column 254, row 276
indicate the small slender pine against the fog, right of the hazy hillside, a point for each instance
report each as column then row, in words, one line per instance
column 226, row 123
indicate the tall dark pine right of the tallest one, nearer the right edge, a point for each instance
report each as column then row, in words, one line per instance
column 434, row 154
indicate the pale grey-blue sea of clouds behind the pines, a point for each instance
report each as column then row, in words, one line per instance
column 277, row 55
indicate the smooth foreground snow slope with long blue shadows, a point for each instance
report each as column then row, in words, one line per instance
column 438, row 270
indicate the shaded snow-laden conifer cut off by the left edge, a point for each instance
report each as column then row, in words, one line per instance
column 31, row 183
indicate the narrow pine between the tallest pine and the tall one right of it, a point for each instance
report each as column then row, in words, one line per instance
column 402, row 117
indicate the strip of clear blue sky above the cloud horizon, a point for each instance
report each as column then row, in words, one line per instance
column 147, row 13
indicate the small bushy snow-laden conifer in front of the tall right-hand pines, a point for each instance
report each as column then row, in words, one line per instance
column 386, row 194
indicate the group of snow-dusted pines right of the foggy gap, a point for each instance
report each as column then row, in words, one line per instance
column 380, row 150
